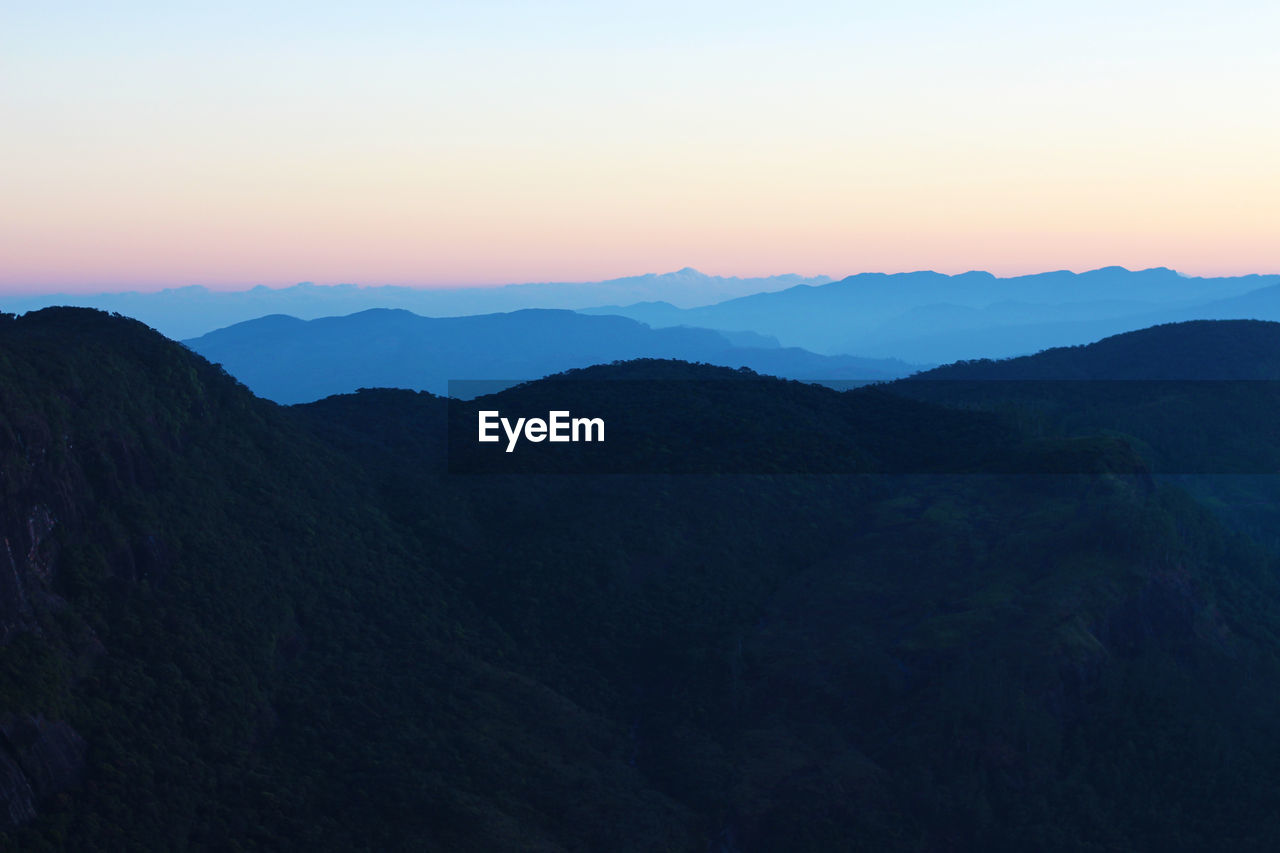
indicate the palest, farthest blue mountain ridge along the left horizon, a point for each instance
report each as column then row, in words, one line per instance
column 191, row 312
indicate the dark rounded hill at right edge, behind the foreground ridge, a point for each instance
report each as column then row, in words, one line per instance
column 1197, row 399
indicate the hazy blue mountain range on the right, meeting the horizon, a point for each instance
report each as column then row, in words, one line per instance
column 932, row 318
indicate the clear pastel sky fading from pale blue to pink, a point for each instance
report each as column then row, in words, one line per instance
column 149, row 145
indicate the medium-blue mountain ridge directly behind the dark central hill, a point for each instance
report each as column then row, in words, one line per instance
column 291, row 361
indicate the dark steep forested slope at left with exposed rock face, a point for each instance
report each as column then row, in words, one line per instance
column 218, row 606
